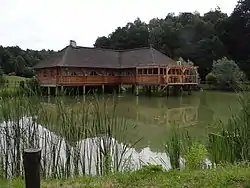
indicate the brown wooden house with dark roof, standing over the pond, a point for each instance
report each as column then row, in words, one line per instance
column 82, row 66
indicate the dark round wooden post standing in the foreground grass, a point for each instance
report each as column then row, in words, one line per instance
column 31, row 161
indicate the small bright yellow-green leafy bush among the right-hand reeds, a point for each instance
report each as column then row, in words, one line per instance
column 195, row 156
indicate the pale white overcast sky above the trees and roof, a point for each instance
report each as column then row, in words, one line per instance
column 51, row 24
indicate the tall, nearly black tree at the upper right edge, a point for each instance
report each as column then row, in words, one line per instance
column 236, row 35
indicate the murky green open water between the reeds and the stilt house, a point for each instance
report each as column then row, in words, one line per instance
column 151, row 118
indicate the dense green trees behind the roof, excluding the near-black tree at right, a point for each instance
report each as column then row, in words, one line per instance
column 189, row 35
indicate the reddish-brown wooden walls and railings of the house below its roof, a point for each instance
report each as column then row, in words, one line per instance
column 98, row 76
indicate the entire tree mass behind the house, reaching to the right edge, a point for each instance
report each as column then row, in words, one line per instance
column 199, row 39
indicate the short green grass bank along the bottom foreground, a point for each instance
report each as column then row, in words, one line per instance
column 228, row 176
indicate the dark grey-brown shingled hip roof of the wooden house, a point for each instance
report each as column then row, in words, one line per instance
column 104, row 58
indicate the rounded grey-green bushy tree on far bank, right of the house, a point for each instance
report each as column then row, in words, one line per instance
column 227, row 73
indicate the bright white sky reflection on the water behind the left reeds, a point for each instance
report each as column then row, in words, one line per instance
column 63, row 159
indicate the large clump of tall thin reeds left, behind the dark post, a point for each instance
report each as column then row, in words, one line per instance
column 75, row 139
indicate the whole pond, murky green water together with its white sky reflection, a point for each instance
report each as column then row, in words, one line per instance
column 147, row 122
